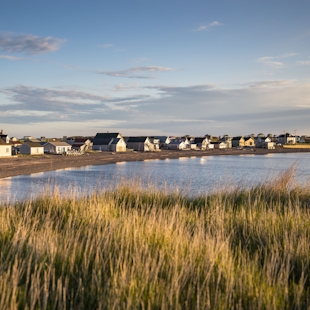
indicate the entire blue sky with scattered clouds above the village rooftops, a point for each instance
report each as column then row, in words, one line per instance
column 144, row 67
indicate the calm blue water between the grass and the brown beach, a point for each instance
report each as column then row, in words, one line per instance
column 194, row 175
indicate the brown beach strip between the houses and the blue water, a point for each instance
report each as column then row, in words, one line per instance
column 25, row 165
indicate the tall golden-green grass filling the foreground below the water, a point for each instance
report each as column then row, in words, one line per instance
column 130, row 248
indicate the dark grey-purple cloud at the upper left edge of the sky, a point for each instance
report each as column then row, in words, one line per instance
column 29, row 44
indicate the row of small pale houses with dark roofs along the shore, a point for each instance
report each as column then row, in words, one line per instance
column 115, row 142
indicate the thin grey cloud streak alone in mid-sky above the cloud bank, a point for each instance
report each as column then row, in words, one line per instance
column 134, row 72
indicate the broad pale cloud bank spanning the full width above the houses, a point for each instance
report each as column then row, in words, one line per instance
column 256, row 107
